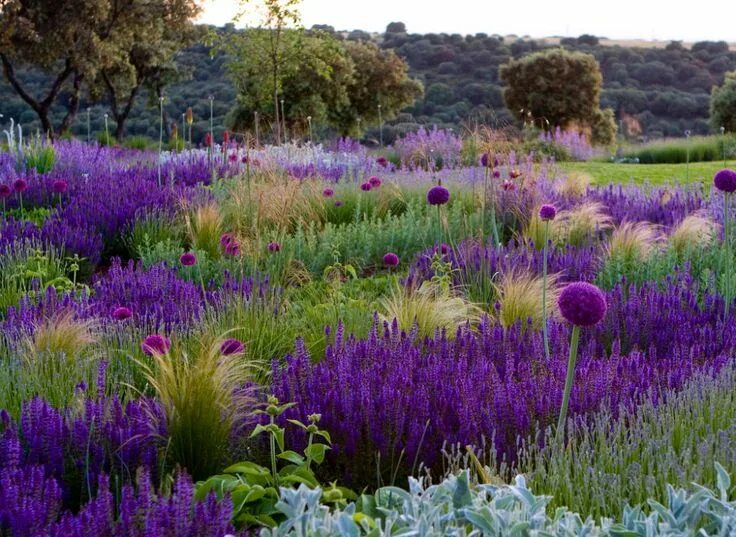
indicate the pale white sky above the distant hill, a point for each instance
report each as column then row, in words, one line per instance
column 623, row 19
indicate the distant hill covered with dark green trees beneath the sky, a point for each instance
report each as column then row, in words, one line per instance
column 657, row 88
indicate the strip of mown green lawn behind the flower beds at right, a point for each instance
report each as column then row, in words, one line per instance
column 655, row 174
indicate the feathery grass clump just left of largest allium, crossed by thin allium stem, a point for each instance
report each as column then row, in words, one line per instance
column 519, row 295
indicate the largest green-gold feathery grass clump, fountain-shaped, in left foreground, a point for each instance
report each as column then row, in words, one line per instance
column 204, row 397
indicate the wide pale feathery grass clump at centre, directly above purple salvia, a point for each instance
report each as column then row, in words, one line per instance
column 429, row 309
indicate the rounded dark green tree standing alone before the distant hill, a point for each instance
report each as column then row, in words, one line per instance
column 558, row 88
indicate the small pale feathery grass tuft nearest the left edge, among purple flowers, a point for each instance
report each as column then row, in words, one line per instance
column 62, row 334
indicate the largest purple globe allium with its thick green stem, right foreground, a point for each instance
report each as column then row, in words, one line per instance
column 583, row 305
